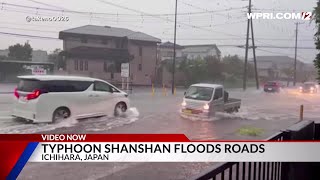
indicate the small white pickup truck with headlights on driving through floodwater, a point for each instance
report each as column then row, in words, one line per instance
column 204, row 100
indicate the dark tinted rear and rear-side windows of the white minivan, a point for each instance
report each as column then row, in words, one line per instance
column 29, row 85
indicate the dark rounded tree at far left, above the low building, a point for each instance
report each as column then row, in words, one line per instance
column 20, row 52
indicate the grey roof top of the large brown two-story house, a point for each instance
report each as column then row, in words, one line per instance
column 109, row 32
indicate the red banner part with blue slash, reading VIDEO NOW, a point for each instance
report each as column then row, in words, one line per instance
column 15, row 148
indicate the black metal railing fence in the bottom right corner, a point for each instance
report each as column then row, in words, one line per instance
column 267, row 170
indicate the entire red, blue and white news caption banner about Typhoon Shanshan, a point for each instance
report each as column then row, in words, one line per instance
column 17, row 150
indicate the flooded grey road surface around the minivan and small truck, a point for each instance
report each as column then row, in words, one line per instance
column 159, row 114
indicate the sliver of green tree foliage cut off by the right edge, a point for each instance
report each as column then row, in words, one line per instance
column 316, row 18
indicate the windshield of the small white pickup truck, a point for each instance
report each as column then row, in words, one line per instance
column 199, row 93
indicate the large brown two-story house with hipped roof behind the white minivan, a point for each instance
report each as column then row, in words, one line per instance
column 98, row 51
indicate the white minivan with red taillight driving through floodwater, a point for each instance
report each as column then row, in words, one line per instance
column 48, row 98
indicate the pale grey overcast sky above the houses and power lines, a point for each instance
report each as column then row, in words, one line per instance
column 222, row 27
